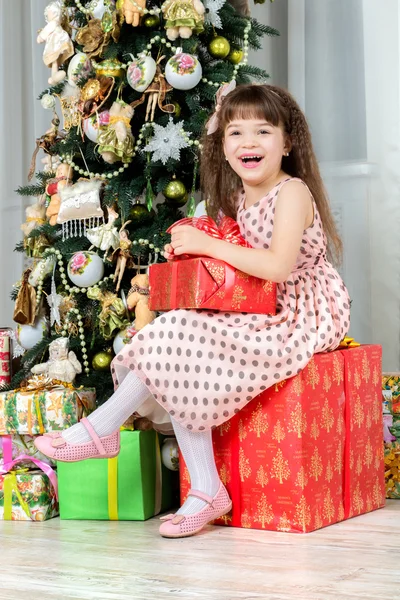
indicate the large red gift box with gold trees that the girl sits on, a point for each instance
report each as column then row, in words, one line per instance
column 308, row 452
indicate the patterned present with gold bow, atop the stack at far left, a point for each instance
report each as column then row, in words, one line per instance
column 43, row 406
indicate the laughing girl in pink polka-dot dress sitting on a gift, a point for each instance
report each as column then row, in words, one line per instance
column 202, row 367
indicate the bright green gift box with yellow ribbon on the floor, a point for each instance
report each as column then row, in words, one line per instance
column 134, row 486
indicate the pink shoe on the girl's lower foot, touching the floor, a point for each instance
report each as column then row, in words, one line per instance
column 186, row 525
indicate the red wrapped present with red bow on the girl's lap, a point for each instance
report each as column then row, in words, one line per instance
column 207, row 283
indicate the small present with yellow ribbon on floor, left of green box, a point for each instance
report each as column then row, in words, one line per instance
column 28, row 495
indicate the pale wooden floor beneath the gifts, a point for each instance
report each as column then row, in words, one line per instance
column 92, row 560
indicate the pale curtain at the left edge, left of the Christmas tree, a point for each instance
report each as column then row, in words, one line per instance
column 22, row 77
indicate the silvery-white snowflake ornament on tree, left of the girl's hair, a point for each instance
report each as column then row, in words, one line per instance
column 167, row 142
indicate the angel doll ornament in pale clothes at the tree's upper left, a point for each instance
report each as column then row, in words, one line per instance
column 59, row 46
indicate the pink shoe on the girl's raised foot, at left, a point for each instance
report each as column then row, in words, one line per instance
column 56, row 447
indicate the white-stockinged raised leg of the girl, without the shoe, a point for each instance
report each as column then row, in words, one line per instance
column 113, row 413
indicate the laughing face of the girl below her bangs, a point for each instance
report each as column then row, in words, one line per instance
column 254, row 149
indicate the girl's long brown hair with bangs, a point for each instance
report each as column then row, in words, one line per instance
column 221, row 184
